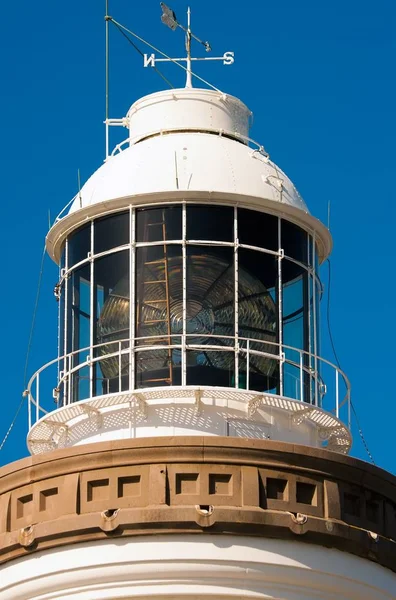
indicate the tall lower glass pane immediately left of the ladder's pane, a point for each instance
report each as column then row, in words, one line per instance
column 111, row 329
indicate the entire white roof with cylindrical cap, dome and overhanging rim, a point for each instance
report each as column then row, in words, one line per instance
column 188, row 144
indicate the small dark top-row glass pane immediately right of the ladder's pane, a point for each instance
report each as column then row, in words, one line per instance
column 214, row 223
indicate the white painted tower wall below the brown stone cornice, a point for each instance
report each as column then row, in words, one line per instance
column 195, row 566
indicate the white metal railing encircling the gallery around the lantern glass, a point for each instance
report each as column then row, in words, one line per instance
column 72, row 377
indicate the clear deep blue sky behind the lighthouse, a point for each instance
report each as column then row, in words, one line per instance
column 319, row 77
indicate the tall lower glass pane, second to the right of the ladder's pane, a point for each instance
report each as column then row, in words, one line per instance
column 258, row 318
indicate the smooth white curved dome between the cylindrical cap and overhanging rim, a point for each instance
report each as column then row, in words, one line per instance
column 188, row 161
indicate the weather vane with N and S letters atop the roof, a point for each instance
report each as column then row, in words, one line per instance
column 169, row 18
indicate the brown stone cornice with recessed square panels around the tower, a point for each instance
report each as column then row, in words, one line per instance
column 197, row 485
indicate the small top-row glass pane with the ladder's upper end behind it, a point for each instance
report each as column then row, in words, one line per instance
column 157, row 224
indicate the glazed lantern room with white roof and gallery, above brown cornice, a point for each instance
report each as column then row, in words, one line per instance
column 189, row 278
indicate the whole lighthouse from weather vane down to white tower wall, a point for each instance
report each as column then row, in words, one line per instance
column 190, row 440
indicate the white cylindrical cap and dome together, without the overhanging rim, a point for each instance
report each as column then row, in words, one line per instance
column 186, row 138
